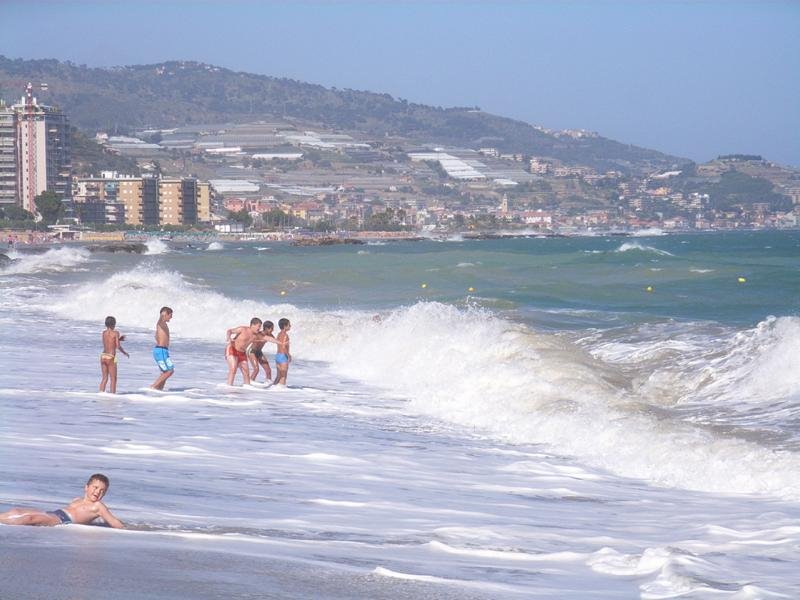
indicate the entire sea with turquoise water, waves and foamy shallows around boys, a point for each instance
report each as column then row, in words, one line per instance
column 571, row 418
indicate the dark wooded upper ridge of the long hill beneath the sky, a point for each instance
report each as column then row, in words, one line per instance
column 181, row 93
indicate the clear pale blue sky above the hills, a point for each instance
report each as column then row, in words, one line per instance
column 693, row 78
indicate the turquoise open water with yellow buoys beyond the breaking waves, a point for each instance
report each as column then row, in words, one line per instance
column 692, row 276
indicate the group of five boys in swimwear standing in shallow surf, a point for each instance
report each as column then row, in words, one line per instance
column 244, row 351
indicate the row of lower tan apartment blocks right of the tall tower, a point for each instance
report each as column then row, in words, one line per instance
column 151, row 201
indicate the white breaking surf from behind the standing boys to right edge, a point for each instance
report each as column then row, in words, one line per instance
column 468, row 366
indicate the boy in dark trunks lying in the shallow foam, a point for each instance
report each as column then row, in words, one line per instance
column 80, row 511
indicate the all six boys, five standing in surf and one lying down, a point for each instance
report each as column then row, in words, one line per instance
column 244, row 349
